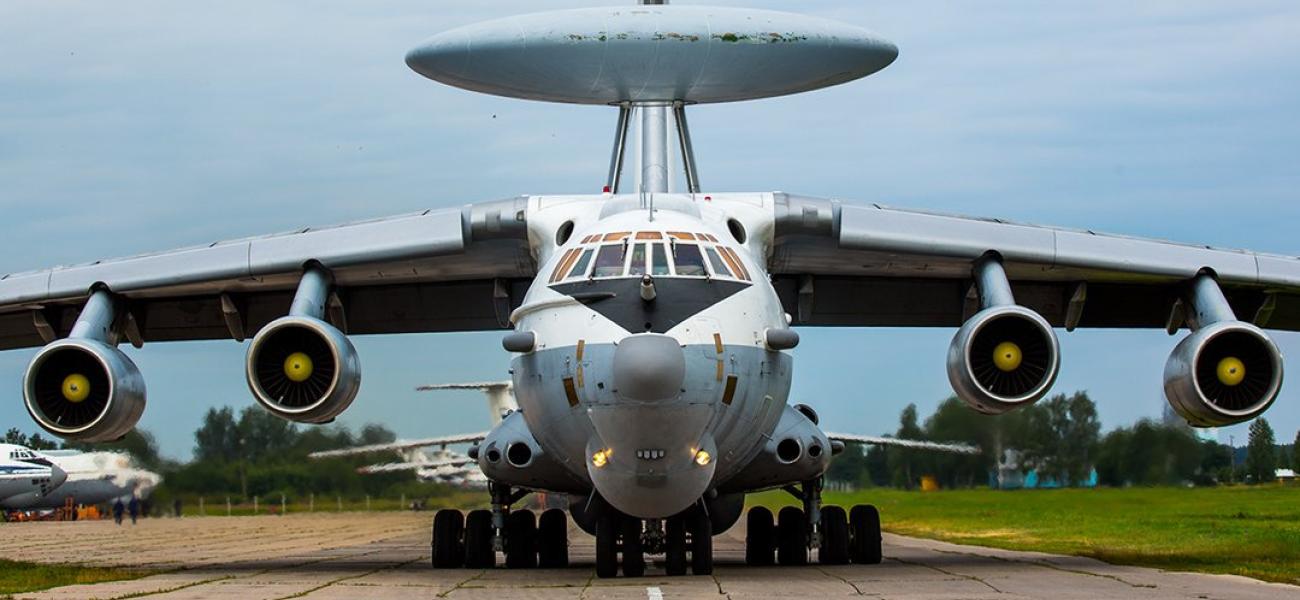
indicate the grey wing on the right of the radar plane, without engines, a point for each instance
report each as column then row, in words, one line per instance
column 872, row 266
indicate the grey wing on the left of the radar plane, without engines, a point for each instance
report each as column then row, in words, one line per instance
column 439, row 271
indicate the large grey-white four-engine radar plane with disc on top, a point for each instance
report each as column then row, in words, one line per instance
column 651, row 327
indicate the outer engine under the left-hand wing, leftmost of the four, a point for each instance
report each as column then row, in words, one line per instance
column 84, row 390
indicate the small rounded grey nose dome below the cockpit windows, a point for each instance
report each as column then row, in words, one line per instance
column 649, row 367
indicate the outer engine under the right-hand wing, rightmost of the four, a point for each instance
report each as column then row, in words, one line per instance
column 1224, row 375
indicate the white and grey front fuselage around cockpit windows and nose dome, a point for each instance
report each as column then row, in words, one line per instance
column 577, row 338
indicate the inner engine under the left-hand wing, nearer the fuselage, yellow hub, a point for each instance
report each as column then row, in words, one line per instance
column 304, row 369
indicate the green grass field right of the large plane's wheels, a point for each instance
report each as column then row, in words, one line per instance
column 1251, row 532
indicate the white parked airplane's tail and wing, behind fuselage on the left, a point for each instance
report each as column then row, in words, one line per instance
column 443, row 466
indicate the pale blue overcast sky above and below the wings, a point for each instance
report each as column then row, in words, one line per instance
column 148, row 125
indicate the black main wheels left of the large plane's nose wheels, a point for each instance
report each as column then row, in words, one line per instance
column 527, row 541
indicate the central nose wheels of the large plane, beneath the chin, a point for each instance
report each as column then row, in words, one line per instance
column 684, row 541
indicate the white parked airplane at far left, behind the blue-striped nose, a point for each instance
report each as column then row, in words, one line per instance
column 92, row 479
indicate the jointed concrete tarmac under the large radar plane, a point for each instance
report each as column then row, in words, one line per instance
column 387, row 556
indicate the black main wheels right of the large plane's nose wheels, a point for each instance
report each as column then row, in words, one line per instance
column 839, row 538
